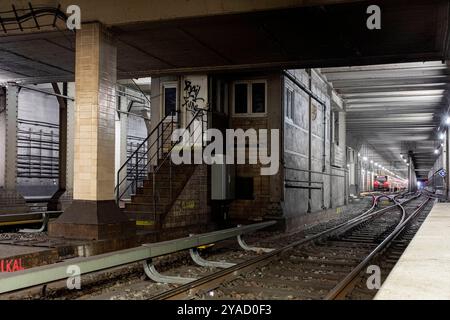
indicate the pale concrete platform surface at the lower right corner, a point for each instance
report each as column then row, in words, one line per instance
column 423, row 272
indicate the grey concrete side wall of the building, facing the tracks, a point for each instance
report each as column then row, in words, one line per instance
column 327, row 182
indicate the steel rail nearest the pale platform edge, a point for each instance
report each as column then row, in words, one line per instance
column 343, row 287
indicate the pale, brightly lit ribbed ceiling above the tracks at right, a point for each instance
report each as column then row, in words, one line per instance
column 396, row 108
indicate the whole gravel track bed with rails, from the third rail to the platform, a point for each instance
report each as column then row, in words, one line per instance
column 305, row 265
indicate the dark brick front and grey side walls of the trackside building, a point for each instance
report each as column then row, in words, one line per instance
column 270, row 197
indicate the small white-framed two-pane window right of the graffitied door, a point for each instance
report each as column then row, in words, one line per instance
column 250, row 98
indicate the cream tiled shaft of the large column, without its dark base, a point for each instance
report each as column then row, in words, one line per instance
column 96, row 61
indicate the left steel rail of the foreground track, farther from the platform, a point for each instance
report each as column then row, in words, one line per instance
column 214, row 280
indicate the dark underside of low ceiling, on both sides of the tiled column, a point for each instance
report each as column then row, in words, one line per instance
column 313, row 36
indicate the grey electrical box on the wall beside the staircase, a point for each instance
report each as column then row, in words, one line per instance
column 222, row 180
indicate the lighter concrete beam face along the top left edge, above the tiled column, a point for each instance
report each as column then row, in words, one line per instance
column 115, row 12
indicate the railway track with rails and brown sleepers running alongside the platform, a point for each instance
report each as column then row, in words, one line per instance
column 328, row 265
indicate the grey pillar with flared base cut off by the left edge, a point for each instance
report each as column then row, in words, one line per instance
column 10, row 200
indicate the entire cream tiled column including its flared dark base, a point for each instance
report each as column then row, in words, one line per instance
column 93, row 213
